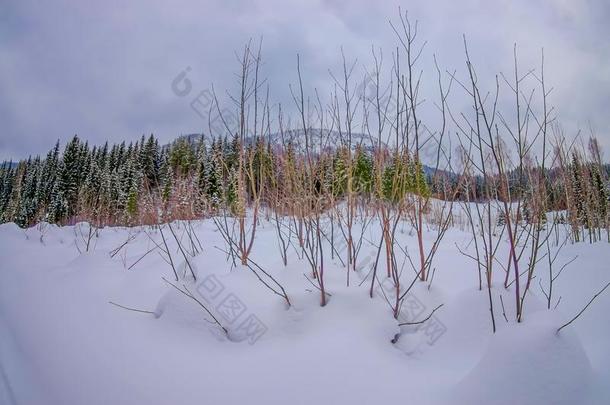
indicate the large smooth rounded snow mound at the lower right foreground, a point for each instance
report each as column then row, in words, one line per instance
column 531, row 365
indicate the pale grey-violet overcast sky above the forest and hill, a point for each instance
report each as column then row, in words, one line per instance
column 104, row 69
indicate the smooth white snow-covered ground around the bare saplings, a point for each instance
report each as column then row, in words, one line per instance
column 62, row 342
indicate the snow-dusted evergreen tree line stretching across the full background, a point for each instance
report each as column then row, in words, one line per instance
column 143, row 182
